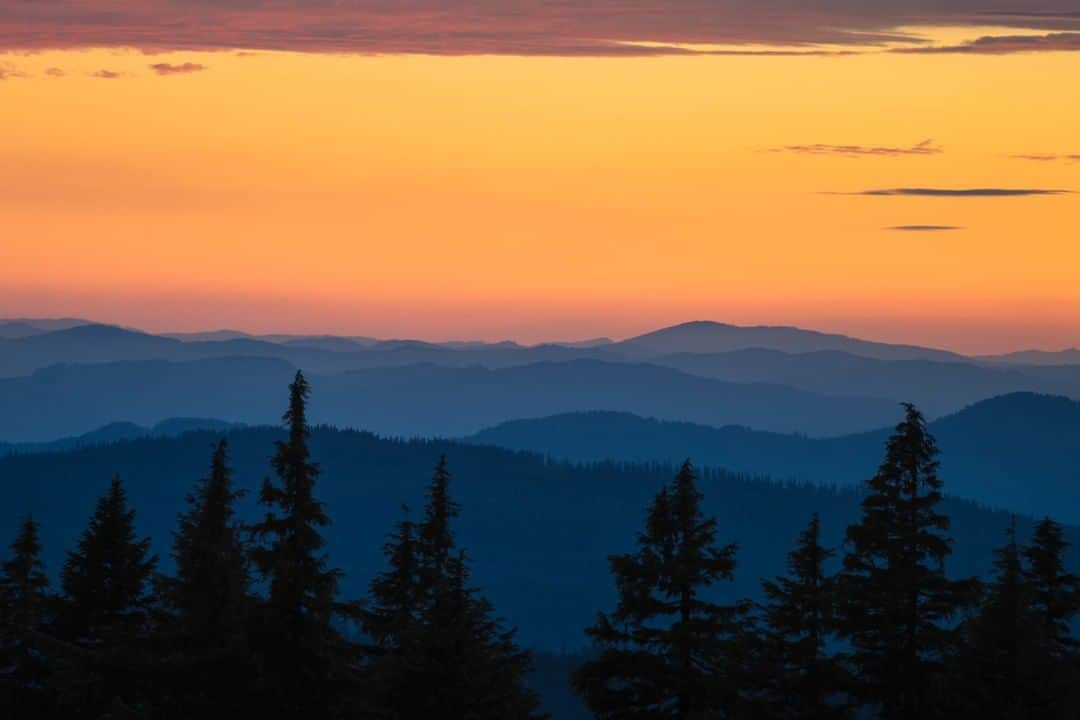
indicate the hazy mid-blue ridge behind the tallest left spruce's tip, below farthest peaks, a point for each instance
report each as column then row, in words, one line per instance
column 409, row 401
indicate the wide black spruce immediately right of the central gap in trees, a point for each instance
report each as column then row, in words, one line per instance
column 665, row 651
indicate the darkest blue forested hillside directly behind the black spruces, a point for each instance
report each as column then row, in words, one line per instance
column 541, row 531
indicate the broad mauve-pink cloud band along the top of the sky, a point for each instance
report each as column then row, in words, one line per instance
column 524, row 28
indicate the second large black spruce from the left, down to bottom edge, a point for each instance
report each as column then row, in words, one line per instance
column 105, row 615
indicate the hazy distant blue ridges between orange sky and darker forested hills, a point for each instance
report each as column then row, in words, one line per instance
column 69, row 378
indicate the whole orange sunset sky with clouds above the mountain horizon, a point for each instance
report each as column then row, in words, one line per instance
column 900, row 171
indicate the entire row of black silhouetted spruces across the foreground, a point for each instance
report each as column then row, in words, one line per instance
column 248, row 619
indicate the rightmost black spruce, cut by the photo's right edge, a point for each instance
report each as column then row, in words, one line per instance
column 1056, row 603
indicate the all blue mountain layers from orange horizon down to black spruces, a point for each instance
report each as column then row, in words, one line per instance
column 562, row 444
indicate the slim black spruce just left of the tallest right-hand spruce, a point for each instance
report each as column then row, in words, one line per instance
column 803, row 681
